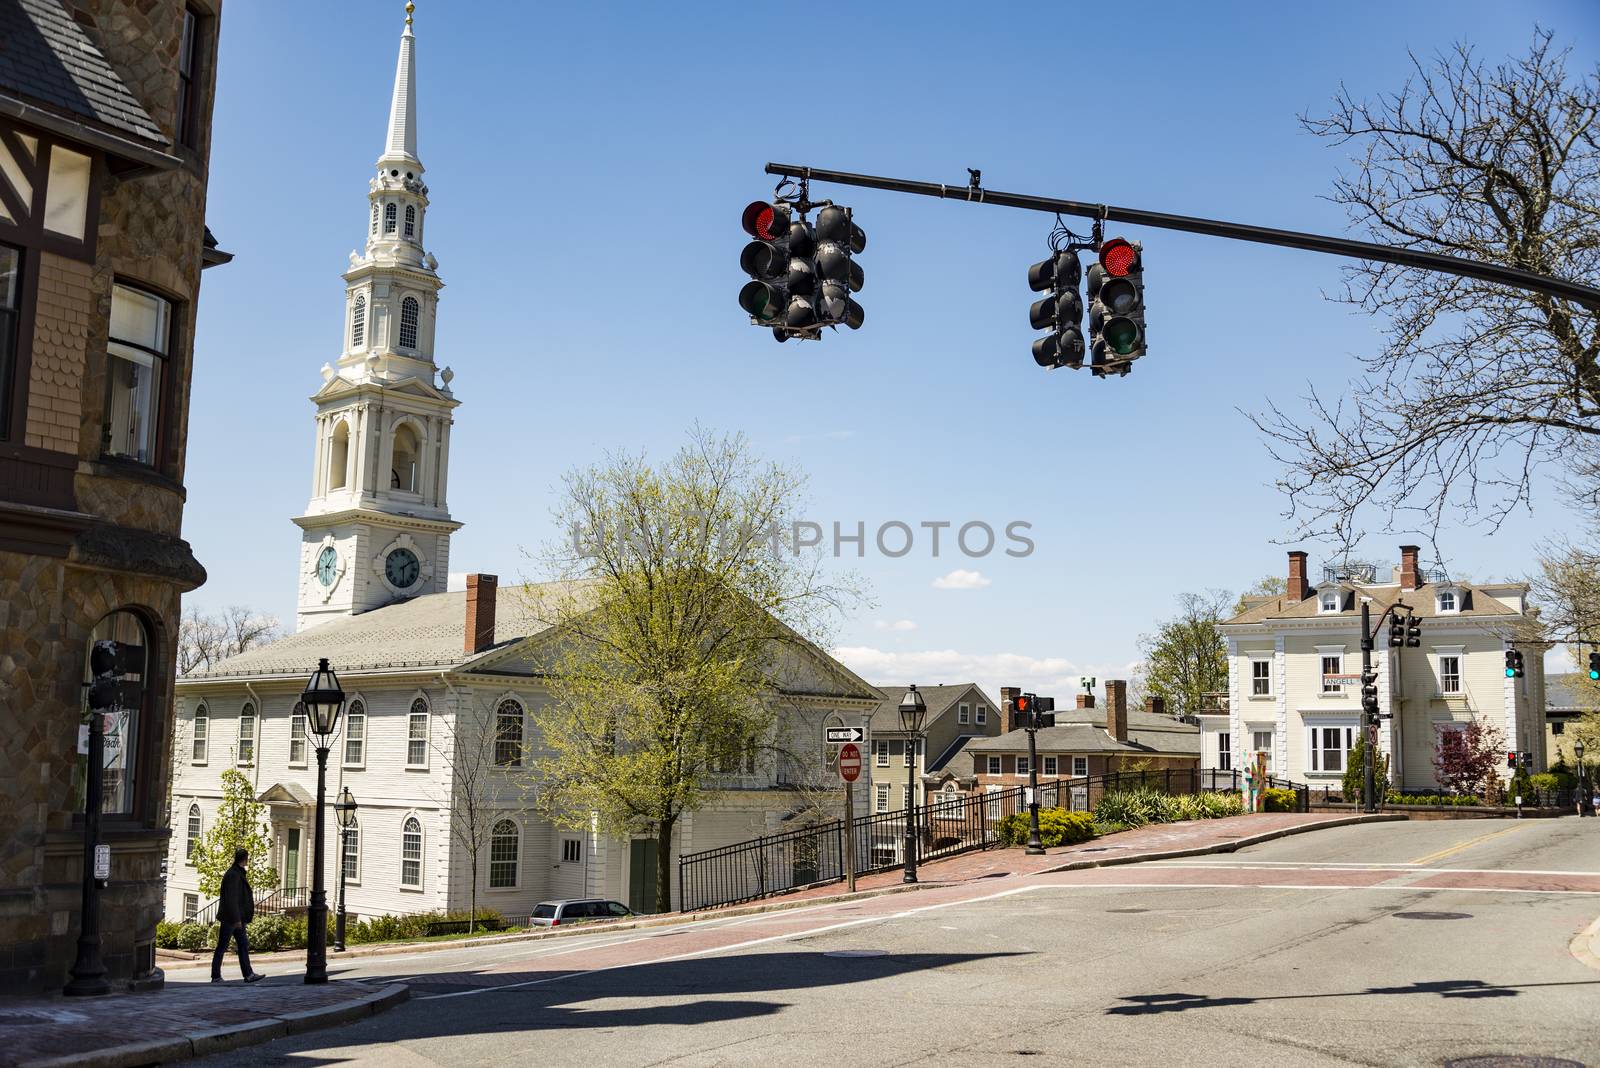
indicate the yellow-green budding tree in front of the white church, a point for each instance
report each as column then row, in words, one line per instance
column 681, row 623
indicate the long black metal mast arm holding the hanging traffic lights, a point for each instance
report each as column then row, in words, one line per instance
column 1562, row 289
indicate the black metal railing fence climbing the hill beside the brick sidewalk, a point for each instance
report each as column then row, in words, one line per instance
column 946, row 826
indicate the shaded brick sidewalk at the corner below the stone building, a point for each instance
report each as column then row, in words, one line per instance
column 183, row 1021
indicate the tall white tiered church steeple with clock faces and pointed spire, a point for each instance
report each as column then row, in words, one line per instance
column 378, row 527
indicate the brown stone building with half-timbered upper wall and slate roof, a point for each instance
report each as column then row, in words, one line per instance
column 105, row 143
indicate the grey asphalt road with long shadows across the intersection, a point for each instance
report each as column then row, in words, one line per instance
column 1390, row 944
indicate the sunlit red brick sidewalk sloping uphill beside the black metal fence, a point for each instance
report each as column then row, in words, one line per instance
column 1145, row 843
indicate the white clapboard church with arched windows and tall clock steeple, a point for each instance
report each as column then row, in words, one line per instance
column 418, row 663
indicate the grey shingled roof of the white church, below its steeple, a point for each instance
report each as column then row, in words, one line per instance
column 426, row 631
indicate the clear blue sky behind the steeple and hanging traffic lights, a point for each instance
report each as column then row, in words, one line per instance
column 588, row 165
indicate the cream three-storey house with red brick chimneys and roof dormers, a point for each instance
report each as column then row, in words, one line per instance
column 1284, row 650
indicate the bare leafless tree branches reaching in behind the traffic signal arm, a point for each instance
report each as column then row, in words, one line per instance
column 1478, row 385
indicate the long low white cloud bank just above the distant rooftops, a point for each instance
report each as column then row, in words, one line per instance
column 1055, row 677
